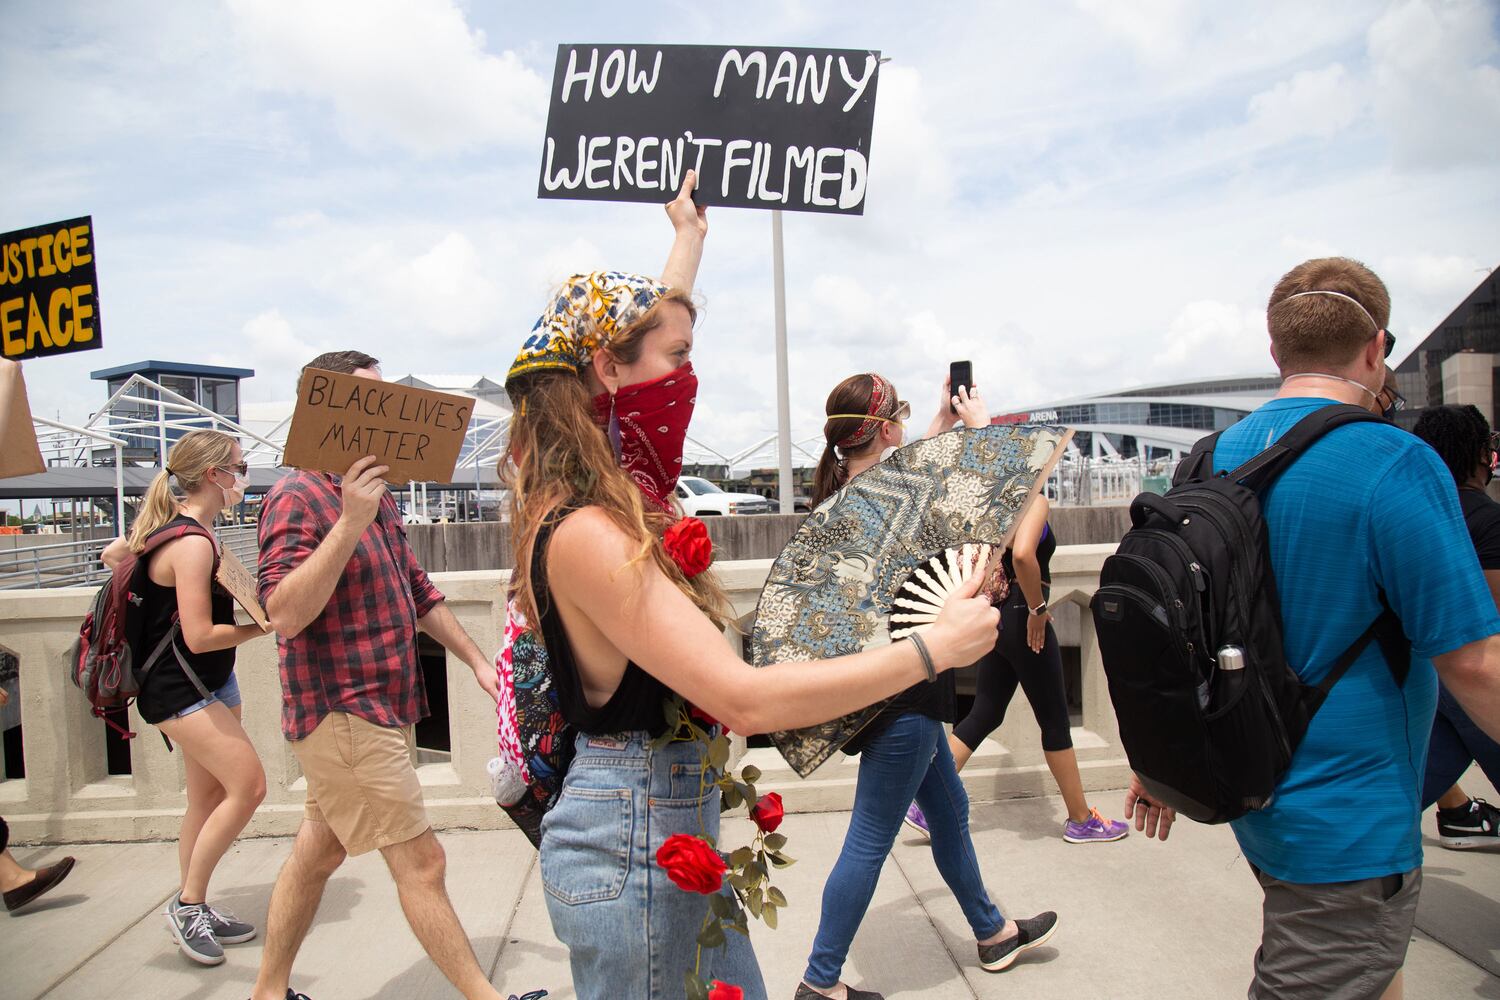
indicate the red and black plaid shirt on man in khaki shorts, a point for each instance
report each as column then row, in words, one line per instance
column 361, row 654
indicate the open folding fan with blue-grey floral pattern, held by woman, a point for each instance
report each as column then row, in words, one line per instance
column 899, row 539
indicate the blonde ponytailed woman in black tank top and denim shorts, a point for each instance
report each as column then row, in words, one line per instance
column 191, row 695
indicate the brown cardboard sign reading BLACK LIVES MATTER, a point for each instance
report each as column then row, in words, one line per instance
column 341, row 419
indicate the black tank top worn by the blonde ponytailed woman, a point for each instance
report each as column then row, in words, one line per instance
column 167, row 689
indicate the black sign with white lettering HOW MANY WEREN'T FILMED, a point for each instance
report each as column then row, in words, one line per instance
column 764, row 128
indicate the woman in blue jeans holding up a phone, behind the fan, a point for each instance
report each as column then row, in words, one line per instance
column 904, row 753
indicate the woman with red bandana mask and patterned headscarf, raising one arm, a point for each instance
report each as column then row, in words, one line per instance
column 604, row 391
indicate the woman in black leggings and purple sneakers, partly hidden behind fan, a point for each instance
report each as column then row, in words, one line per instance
column 1028, row 654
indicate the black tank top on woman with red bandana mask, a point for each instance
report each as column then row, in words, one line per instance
column 635, row 705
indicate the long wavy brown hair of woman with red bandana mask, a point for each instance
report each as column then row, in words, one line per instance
column 560, row 457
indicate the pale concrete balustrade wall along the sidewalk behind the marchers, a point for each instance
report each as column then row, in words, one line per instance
column 68, row 794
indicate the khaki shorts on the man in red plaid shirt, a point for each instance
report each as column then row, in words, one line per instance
column 361, row 783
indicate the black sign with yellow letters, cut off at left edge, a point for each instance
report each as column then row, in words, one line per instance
column 49, row 293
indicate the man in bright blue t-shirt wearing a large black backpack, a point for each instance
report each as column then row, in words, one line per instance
column 1369, row 509
